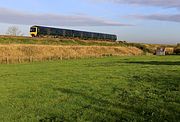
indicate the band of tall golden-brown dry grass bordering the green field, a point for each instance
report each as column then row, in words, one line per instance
column 14, row 53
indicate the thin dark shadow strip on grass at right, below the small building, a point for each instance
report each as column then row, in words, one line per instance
column 155, row 62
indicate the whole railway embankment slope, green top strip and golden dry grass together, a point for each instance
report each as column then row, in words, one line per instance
column 20, row 49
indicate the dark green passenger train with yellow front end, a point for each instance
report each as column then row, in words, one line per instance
column 40, row 31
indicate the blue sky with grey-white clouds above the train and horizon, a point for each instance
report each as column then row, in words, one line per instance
column 144, row 21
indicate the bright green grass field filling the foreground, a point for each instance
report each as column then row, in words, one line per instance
column 105, row 89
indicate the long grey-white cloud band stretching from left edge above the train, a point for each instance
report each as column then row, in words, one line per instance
column 17, row 17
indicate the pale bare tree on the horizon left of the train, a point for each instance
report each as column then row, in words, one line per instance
column 14, row 31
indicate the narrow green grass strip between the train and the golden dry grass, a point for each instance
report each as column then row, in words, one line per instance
column 55, row 41
